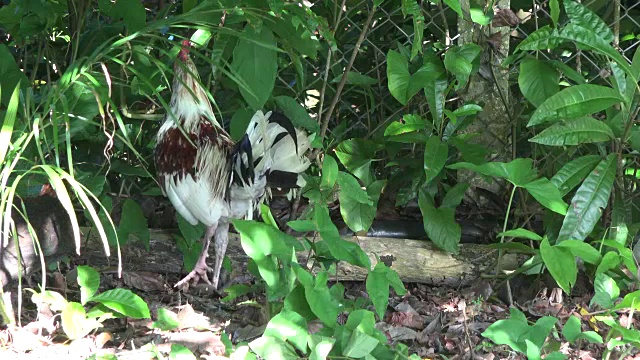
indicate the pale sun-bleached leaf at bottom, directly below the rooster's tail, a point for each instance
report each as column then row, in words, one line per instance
column 289, row 326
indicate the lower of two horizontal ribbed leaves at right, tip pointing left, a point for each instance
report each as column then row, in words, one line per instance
column 583, row 130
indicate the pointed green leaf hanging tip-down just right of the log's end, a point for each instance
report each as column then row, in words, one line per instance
column 561, row 265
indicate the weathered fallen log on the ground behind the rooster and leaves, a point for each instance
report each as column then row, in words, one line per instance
column 416, row 261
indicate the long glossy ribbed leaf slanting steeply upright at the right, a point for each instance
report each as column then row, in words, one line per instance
column 587, row 204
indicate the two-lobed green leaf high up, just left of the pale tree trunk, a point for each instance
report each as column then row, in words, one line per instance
column 402, row 84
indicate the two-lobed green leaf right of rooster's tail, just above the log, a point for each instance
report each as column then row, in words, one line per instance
column 358, row 215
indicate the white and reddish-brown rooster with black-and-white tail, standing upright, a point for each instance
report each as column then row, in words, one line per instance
column 210, row 179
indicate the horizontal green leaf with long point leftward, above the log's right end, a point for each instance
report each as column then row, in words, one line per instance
column 519, row 172
